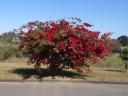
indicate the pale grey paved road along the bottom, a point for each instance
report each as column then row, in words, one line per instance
column 61, row 89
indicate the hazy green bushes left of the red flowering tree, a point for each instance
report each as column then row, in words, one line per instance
column 8, row 45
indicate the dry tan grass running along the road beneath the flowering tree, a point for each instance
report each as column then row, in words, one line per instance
column 17, row 69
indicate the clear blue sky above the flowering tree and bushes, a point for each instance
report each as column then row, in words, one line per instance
column 105, row 15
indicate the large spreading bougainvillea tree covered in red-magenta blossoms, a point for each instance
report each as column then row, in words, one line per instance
column 63, row 43
